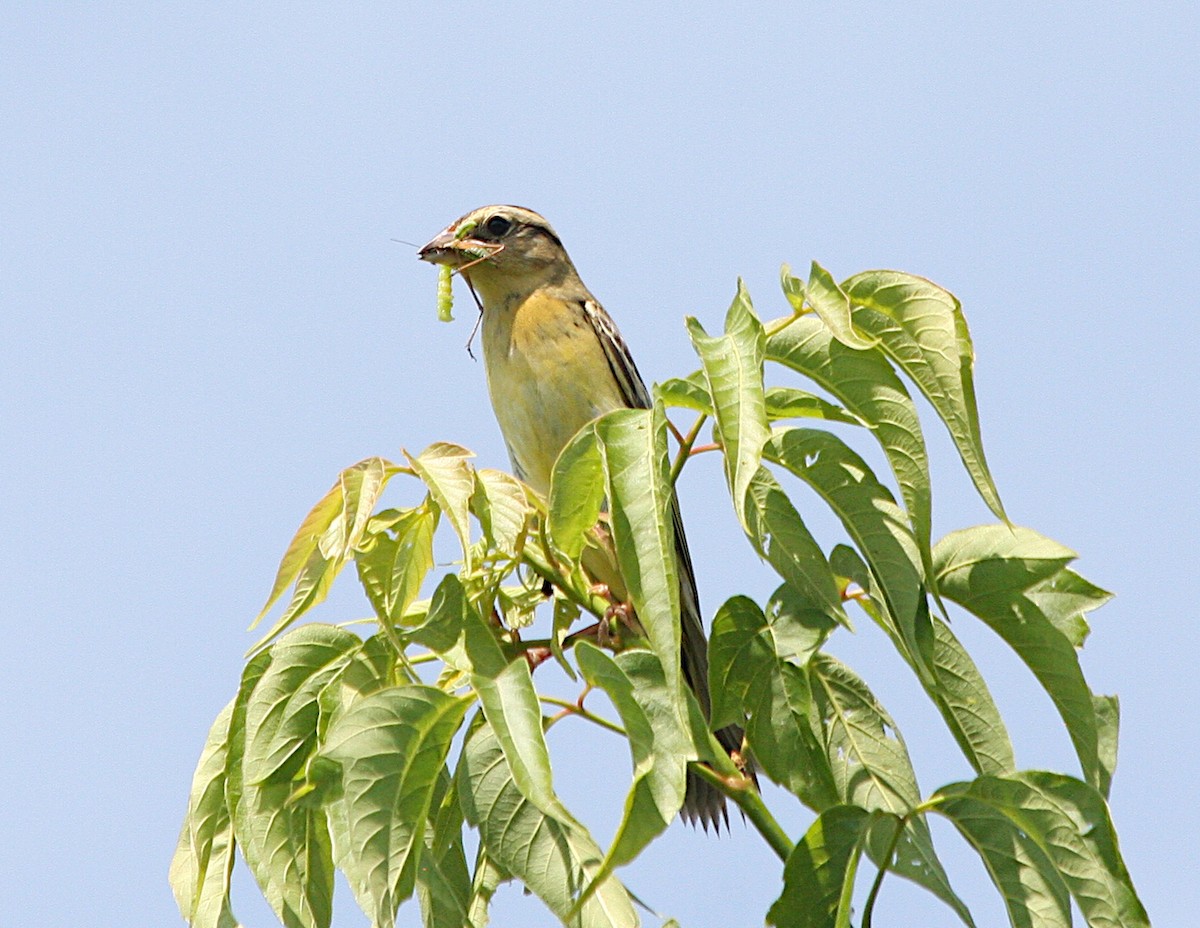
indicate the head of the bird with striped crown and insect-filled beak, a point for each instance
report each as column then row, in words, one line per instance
column 503, row 252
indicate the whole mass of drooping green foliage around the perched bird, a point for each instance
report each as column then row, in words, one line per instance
column 375, row 755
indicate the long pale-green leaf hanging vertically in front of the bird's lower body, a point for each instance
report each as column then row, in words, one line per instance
column 634, row 451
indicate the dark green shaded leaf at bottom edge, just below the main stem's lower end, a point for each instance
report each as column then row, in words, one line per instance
column 819, row 877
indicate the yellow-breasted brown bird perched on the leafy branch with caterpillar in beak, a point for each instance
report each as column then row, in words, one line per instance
column 555, row 361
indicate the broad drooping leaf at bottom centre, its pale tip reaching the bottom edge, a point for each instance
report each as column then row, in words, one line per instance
column 553, row 858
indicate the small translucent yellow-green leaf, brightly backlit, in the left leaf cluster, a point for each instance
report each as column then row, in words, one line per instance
column 393, row 565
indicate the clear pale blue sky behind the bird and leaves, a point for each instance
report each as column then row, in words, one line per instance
column 206, row 318
